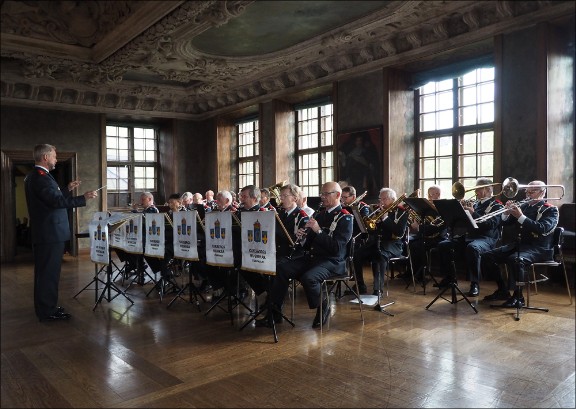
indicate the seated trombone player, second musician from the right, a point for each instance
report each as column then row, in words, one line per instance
column 474, row 242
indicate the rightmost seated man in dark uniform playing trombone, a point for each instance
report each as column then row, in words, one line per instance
column 535, row 220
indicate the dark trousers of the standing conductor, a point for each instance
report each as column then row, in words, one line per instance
column 47, row 265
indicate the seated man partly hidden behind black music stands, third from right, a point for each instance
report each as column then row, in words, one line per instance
column 426, row 235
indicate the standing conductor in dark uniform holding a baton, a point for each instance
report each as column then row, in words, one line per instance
column 48, row 210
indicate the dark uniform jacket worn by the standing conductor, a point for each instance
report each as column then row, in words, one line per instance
column 47, row 207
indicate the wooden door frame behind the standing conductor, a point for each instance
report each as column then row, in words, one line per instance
column 9, row 158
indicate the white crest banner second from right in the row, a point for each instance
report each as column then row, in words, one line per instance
column 218, row 227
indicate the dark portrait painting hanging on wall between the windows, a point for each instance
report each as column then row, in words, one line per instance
column 359, row 160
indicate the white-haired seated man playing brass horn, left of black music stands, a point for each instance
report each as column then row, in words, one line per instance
column 385, row 241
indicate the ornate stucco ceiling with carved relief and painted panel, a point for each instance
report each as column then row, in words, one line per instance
column 197, row 59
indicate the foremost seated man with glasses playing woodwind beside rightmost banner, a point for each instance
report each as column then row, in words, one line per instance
column 325, row 239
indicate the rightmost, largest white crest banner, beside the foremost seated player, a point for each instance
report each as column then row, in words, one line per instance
column 259, row 242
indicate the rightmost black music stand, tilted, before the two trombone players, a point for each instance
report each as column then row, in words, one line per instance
column 454, row 215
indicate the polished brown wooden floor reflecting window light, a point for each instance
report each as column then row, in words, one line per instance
column 145, row 355
